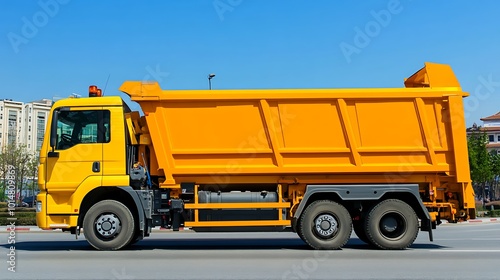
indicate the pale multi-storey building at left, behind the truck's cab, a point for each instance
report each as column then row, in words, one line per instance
column 23, row 123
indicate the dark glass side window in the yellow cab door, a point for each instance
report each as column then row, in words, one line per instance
column 82, row 127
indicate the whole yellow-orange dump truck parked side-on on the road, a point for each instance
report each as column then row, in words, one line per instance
column 384, row 162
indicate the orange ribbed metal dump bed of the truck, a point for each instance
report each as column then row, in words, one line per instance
column 206, row 135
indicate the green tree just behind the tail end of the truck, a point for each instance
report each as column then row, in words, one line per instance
column 481, row 167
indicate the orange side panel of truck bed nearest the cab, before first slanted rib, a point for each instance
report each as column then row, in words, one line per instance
column 208, row 126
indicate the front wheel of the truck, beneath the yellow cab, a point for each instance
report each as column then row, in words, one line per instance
column 109, row 225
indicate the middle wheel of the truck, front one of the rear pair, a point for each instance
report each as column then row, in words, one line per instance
column 325, row 225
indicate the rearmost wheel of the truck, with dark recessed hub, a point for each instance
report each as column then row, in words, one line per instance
column 392, row 224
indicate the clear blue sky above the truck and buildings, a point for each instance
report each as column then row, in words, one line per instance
column 54, row 48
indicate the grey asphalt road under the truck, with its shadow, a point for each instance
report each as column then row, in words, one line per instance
column 466, row 251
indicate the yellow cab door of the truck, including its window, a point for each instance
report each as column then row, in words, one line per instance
column 76, row 153
